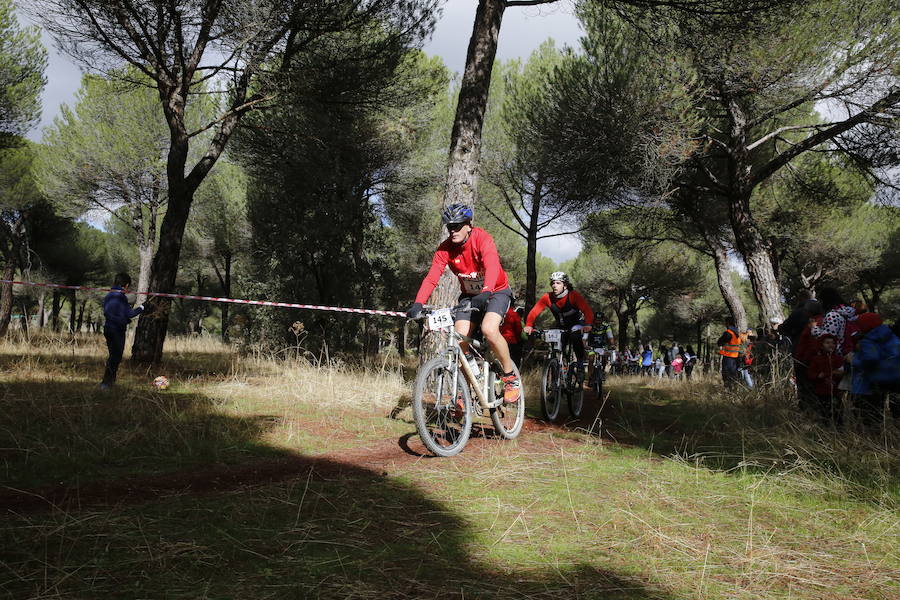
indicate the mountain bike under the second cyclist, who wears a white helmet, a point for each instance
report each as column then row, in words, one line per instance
column 561, row 376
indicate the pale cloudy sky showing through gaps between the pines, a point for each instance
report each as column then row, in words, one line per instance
column 523, row 30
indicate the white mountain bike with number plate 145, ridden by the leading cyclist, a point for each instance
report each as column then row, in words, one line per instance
column 451, row 391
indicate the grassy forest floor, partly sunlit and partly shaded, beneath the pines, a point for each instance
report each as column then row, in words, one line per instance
column 257, row 477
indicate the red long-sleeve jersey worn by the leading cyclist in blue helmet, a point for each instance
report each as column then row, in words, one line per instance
column 475, row 263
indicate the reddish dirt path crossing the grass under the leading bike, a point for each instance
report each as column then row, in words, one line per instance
column 379, row 458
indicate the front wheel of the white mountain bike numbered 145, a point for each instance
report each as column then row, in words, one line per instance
column 440, row 409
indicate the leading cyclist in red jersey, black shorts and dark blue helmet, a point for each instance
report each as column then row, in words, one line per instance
column 471, row 255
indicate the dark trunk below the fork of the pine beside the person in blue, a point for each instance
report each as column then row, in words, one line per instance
column 151, row 330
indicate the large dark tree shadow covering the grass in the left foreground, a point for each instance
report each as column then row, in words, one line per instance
column 150, row 495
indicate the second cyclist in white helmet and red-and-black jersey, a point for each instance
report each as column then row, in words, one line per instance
column 571, row 312
